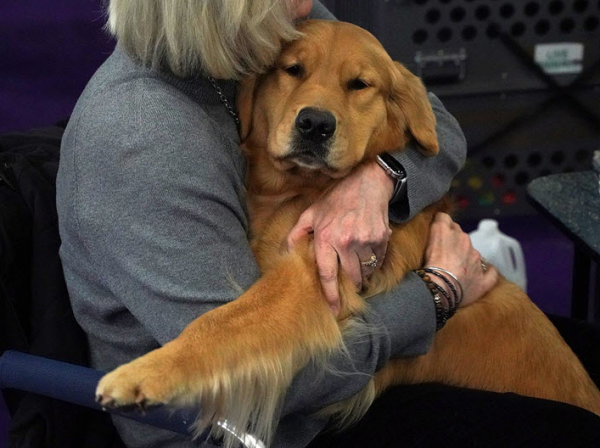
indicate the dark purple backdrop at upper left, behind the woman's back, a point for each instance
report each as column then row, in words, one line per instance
column 49, row 49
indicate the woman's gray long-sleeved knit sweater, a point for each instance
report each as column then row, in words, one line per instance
column 150, row 195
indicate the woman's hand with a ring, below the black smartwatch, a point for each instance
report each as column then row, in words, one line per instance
column 350, row 223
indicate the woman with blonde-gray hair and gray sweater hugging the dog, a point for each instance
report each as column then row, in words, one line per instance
column 150, row 195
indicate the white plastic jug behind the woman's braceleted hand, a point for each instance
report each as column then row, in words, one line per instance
column 502, row 251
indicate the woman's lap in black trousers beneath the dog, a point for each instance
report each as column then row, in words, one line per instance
column 433, row 415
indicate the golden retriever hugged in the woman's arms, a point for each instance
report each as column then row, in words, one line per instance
column 237, row 360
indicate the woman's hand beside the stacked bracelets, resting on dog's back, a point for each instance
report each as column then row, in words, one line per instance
column 450, row 248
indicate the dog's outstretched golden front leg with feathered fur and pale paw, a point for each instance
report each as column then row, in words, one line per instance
column 236, row 361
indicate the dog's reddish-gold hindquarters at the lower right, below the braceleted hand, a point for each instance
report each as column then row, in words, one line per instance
column 502, row 343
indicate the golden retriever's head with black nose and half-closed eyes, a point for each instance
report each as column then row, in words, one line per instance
column 333, row 99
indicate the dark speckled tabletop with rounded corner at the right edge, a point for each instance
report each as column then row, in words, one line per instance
column 572, row 201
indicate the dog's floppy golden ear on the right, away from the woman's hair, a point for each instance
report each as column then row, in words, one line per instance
column 411, row 97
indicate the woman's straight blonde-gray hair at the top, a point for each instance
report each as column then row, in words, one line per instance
column 222, row 38
